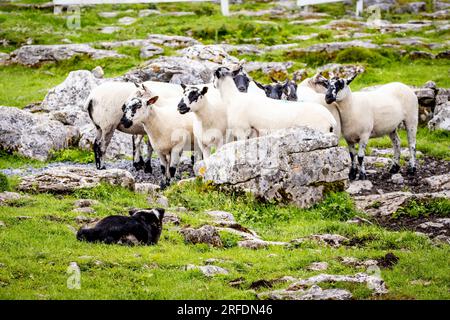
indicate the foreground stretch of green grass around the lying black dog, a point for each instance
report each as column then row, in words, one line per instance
column 37, row 252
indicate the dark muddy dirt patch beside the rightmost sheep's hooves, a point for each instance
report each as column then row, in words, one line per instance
column 427, row 167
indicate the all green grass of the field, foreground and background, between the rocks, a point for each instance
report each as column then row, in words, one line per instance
column 36, row 252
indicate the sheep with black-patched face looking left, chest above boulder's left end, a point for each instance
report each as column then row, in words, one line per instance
column 210, row 115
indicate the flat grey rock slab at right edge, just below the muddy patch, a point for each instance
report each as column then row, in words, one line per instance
column 388, row 203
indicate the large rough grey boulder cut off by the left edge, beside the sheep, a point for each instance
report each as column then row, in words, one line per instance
column 31, row 135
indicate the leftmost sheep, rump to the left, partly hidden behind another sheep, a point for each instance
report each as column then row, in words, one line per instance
column 104, row 106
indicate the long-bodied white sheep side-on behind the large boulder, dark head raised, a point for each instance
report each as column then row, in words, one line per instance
column 250, row 114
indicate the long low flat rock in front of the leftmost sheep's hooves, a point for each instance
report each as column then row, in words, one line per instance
column 70, row 178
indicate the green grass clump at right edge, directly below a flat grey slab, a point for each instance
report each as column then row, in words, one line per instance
column 424, row 208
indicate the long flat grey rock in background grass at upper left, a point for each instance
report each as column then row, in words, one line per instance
column 35, row 55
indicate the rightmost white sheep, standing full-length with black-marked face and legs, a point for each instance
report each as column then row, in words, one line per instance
column 373, row 114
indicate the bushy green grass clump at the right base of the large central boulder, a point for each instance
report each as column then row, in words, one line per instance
column 337, row 206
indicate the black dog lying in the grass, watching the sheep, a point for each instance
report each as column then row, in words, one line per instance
column 142, row 226
